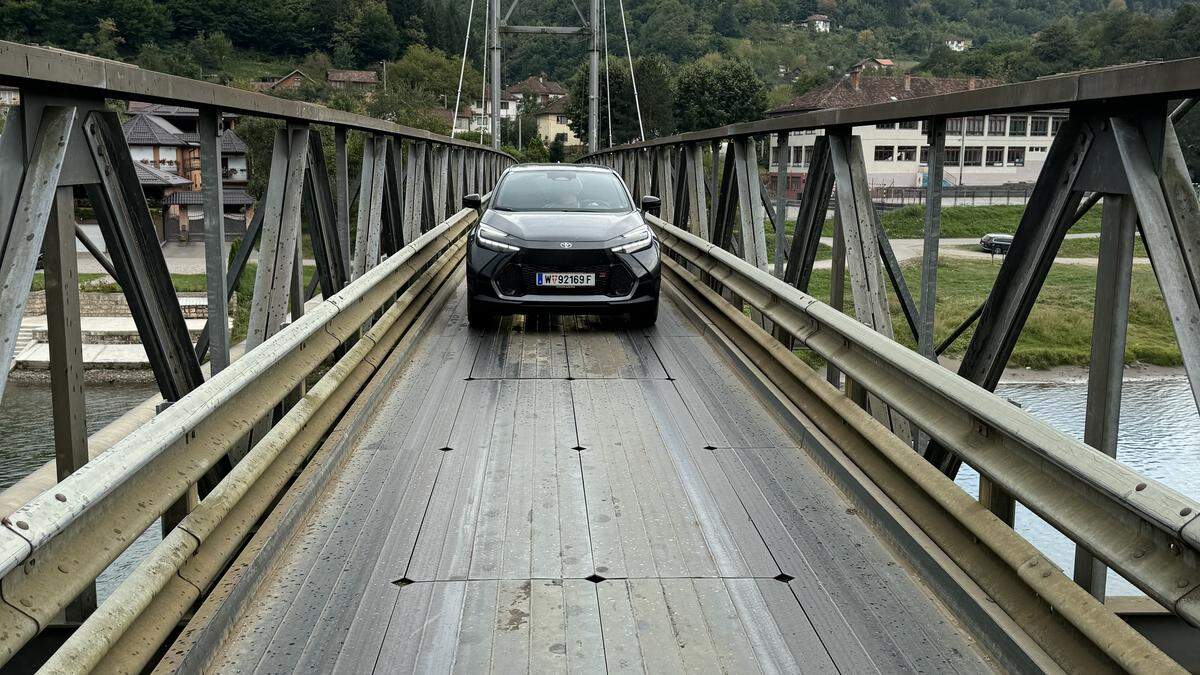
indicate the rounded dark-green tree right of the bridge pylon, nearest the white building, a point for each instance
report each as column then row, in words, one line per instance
column 713, row 94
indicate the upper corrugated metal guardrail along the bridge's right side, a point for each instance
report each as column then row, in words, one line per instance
column 1144, row 530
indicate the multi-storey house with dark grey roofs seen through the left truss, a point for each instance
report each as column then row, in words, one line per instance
column 166, row 151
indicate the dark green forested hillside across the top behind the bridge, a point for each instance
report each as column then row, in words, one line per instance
column 698, row 64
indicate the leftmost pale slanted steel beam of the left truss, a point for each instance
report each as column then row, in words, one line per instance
column 27, row 228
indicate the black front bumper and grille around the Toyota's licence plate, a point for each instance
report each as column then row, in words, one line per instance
column 503, row 283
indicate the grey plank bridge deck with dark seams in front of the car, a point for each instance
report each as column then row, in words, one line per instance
column 569, row 495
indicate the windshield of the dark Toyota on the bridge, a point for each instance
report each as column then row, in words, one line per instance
column 562, row 190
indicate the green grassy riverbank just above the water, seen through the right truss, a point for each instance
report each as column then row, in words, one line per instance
column 1060, row 327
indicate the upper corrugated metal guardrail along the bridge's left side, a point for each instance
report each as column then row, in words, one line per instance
column 52, row 547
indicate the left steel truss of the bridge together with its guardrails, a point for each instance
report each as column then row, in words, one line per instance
column 64, row 139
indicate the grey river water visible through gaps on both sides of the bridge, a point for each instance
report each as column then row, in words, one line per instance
column 1160, row 439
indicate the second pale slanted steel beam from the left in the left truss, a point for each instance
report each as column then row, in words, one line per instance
column 277, row 272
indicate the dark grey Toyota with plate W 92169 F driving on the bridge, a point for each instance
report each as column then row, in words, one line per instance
column 562, row 240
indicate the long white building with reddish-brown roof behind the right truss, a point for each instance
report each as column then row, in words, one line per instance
column 981, row 151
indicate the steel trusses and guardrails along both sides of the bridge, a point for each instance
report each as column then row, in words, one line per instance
column 214, row 462
